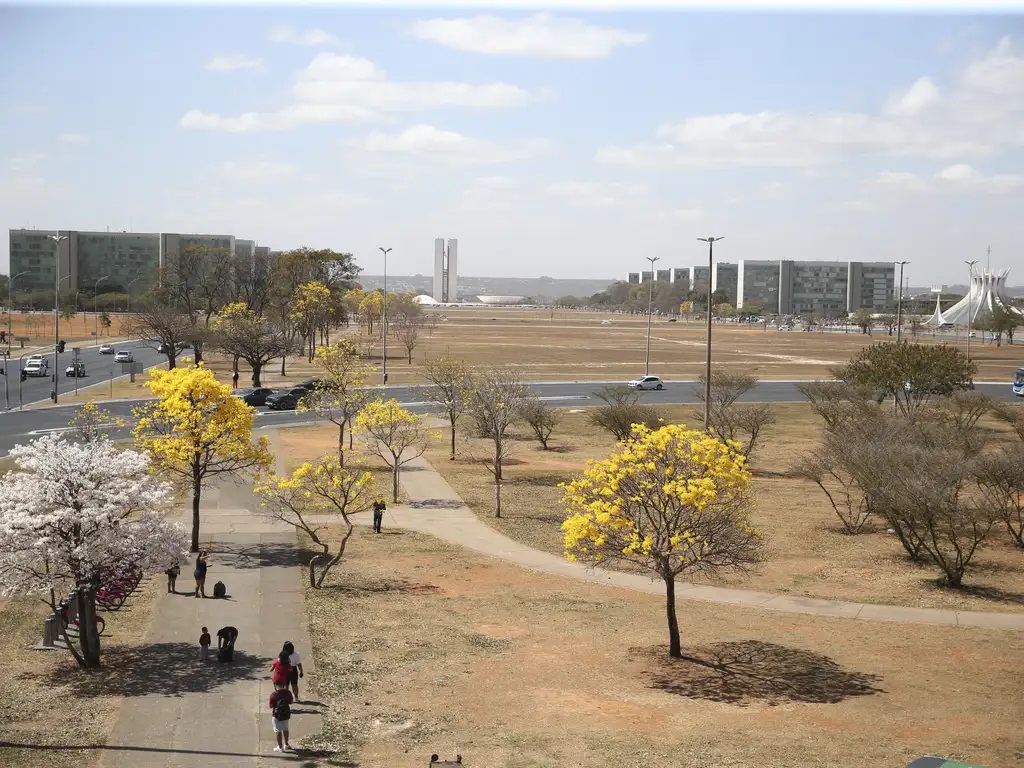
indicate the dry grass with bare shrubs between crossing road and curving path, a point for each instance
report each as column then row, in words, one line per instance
column 808, row 553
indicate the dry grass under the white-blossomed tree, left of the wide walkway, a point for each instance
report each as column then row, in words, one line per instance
column 44, row 706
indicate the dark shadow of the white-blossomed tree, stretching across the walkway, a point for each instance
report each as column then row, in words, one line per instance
column 169, row 669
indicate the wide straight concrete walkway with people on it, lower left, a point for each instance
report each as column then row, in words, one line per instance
column 180, row 713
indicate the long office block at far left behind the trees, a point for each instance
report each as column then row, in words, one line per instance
column 86, row 258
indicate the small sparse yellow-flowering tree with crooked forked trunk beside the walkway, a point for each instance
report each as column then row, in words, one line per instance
column 313, row 491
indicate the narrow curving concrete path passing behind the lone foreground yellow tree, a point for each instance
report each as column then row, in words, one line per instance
column 437, row 509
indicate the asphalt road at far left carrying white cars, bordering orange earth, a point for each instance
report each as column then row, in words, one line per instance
column 98, row 368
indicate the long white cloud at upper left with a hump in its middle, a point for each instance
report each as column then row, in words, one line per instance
column 336, row 89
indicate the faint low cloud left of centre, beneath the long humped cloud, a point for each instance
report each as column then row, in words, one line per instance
column 425, row 144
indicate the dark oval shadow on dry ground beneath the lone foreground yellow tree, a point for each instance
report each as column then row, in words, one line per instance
column 755, row 672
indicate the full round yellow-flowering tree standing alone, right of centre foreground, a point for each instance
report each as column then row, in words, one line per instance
column 674, row 501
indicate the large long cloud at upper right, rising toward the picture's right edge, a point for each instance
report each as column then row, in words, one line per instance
column 980, row 116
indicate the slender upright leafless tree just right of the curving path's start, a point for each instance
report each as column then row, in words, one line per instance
column 496, row 403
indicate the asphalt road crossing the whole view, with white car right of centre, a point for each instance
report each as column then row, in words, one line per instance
column 22, row 426
